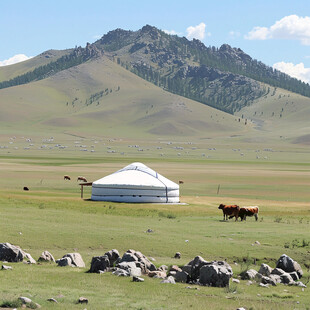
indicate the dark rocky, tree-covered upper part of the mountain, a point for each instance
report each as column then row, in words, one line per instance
column 225, row 78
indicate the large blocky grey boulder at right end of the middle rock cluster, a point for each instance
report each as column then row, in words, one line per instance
column 215, row 274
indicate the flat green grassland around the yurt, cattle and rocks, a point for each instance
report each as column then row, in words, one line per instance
column 53, row 217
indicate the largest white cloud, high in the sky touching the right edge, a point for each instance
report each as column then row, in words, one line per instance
column 290, row 27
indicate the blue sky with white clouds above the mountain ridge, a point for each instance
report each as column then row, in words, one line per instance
column 271, row 31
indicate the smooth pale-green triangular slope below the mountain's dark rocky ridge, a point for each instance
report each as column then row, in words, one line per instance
column 137, row 109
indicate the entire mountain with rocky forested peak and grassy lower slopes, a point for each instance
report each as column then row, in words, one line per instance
column 147, row 83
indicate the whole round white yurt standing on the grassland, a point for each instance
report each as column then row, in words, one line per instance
column 135, row 183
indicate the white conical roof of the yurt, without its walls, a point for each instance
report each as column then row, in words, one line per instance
column 136, row 175
